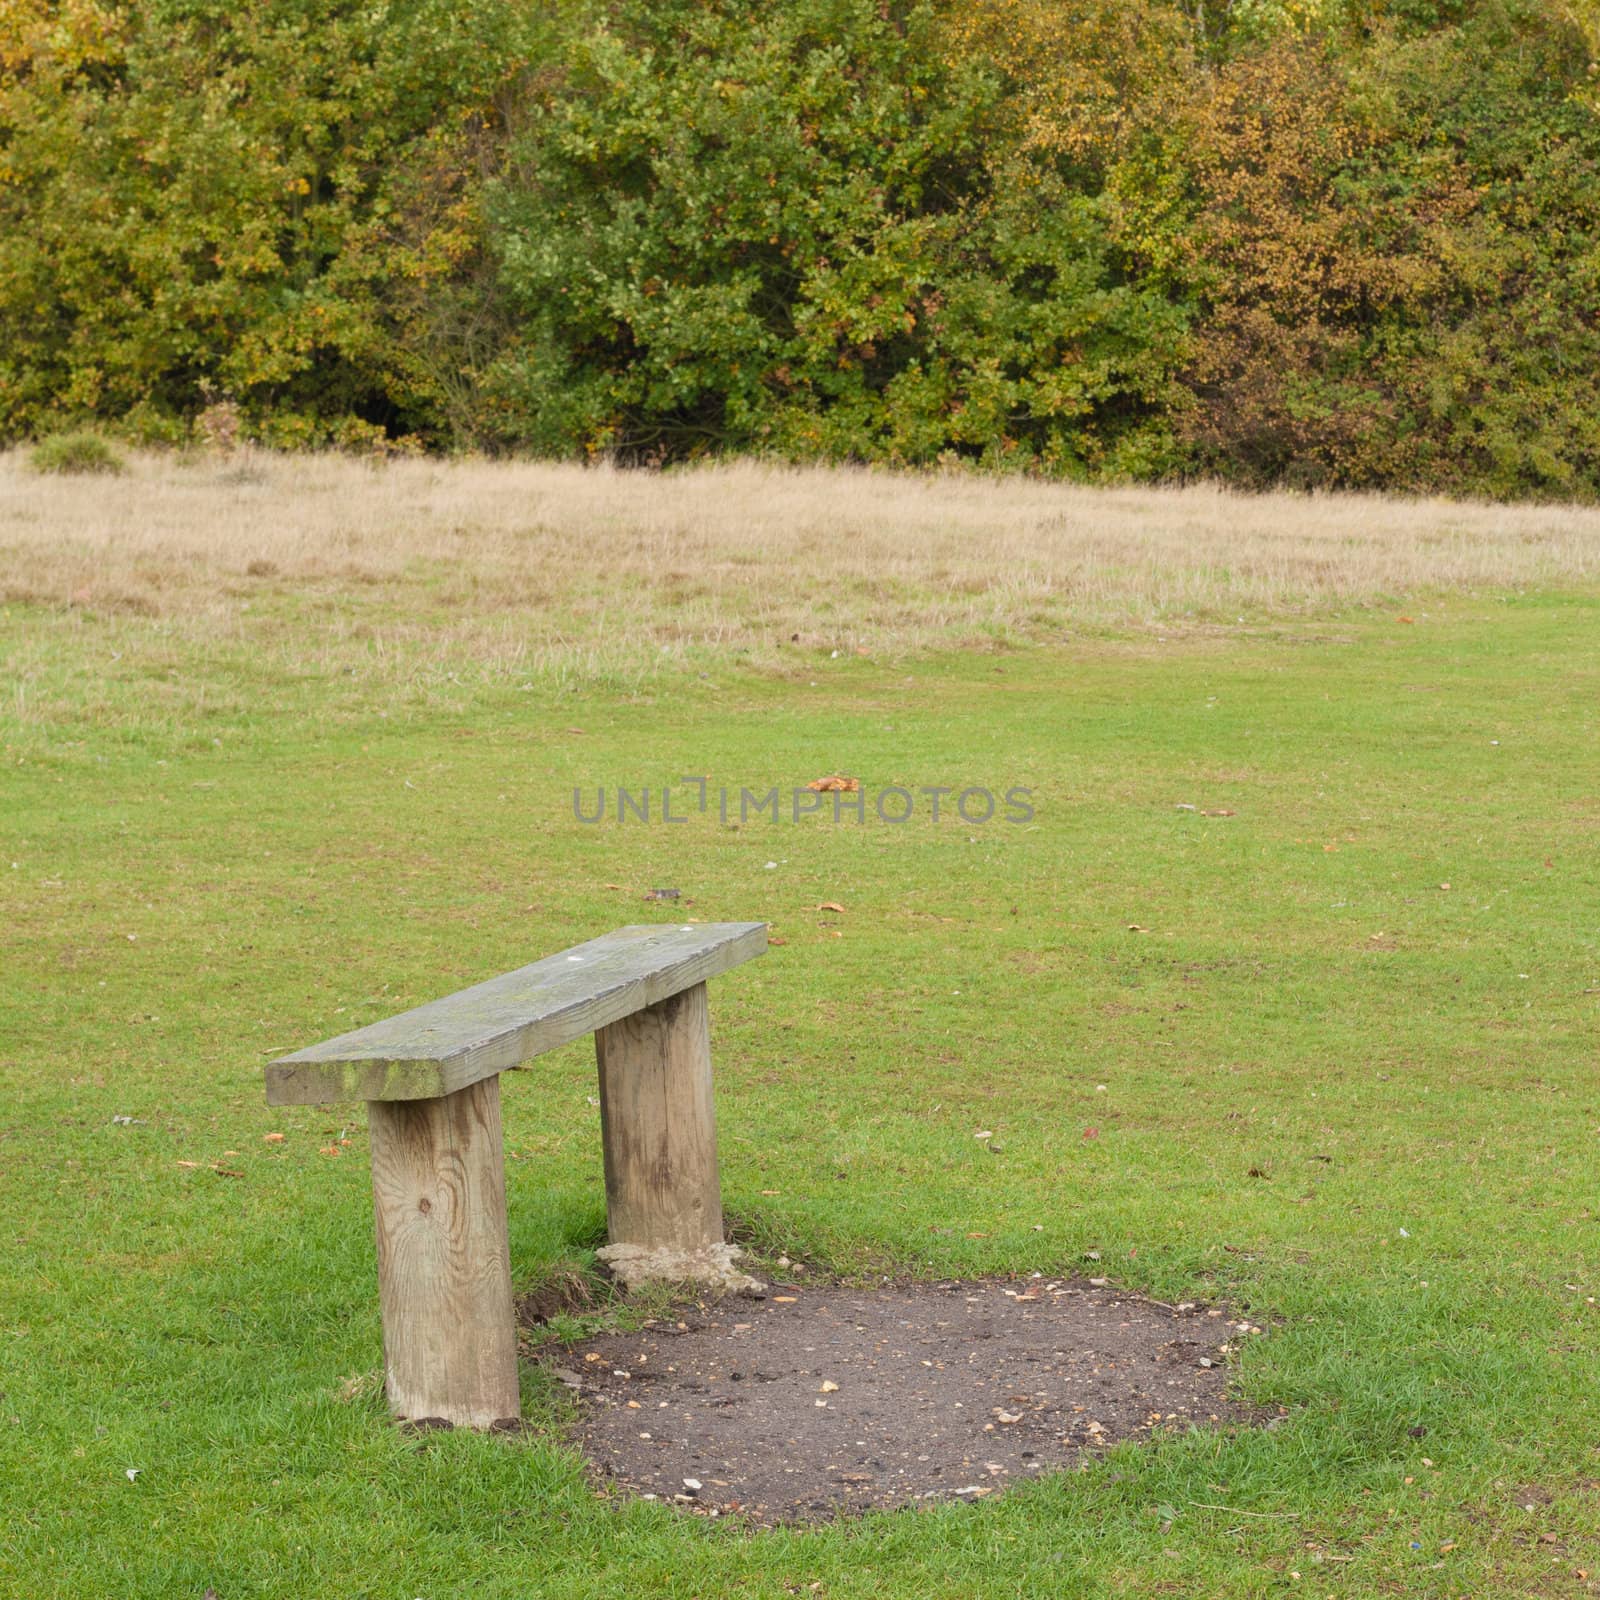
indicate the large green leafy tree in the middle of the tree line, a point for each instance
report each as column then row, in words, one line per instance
column 785, row 231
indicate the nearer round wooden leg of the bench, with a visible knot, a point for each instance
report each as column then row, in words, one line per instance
column 444, row 1268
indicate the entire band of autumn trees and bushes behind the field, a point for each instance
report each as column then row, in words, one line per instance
column 1345, row 242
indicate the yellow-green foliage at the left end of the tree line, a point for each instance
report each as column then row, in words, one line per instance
column 199, row 193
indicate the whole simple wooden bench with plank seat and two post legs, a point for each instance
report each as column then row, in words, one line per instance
column 431, row 1082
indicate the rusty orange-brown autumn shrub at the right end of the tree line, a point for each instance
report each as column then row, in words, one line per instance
column 1394, row 258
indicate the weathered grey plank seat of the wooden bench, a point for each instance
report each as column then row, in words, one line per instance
column 449, row 1044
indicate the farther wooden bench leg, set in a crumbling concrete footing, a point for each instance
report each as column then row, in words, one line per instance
column 658, row 1126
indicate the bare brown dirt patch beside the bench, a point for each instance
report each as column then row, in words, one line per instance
column 825, row 1401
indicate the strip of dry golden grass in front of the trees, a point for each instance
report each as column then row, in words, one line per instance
column 519, row 569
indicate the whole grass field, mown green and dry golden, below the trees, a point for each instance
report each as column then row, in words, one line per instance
column 1327, row 1054
